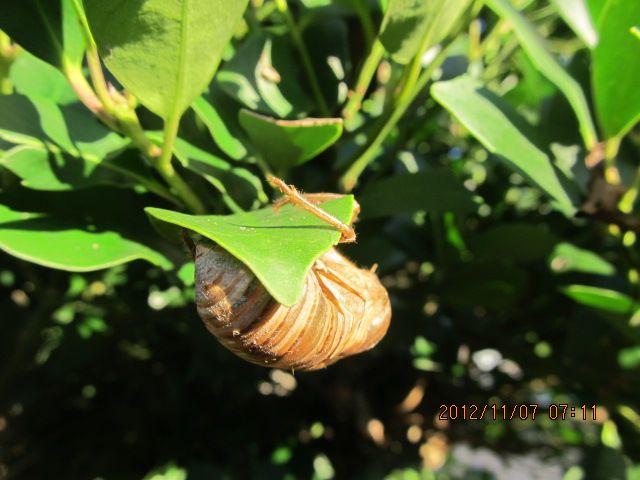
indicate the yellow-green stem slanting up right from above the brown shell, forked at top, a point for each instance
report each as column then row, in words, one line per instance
column 410, row 90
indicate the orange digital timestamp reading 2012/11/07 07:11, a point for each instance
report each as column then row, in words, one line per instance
column 517, row 411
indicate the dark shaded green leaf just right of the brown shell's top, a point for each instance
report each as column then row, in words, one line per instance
column 431, row 191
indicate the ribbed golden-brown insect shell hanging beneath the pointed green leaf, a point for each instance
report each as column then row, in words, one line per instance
column 344, row 310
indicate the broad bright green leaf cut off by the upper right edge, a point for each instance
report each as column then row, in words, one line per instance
column 616, row 68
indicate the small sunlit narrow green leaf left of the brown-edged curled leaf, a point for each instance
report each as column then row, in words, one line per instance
column 215, row 111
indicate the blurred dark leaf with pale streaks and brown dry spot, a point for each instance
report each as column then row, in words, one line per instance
column 263, row 76
